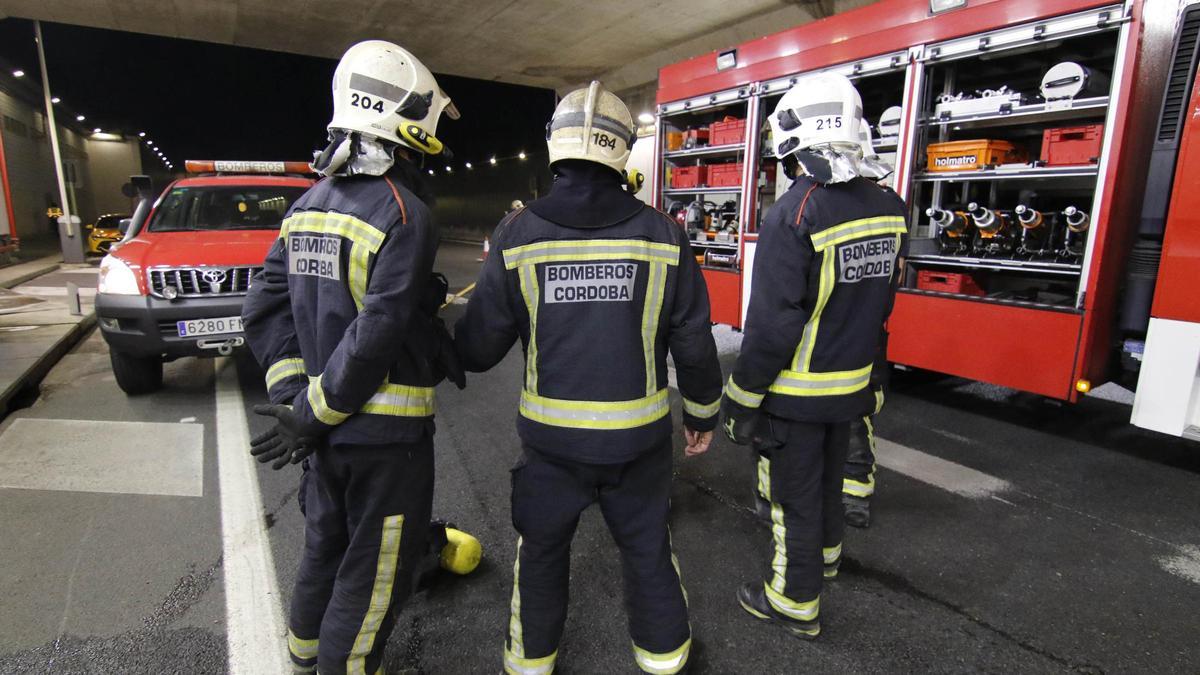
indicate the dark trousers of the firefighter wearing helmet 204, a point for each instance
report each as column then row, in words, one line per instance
column 367, row 522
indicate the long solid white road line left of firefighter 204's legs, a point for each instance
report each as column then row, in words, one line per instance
column 254, row 614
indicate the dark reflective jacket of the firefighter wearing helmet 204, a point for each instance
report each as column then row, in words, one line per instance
column 334, row 318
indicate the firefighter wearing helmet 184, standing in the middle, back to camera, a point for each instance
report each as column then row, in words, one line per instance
column 599, row 288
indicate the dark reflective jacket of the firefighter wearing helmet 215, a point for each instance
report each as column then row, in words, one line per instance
column 825, row 278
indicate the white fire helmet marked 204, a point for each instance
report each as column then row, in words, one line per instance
column 382, row 91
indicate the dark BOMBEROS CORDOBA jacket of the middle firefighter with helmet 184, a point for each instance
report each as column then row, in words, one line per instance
column 599, row 296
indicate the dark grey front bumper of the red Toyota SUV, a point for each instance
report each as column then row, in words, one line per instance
column 146, row 326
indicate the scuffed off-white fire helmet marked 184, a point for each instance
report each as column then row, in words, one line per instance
column 592, row 124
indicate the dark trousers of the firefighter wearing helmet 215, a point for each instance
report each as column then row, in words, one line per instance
column 800, row 479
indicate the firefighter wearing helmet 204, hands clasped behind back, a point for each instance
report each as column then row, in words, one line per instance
column 337, row 320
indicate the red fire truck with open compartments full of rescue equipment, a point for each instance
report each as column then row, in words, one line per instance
column 1023, row 135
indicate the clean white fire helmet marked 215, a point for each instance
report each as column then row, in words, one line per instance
column 820, row 111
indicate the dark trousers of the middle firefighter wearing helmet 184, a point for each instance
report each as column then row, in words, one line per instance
column 549, row 497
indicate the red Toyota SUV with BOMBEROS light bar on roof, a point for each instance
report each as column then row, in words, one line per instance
column 175, row 286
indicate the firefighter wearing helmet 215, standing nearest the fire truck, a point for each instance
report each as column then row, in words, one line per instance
column 830, row 254
